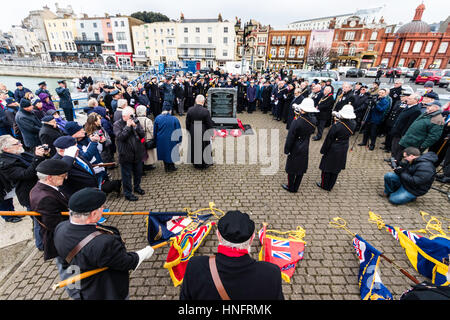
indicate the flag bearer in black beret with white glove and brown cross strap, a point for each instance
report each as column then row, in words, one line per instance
column 104, row 249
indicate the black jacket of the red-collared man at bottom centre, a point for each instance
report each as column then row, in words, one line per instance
column 243, row 279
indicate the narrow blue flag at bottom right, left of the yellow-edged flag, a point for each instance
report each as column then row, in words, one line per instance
column 369, row 281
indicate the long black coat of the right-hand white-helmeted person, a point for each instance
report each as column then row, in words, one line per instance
column 335, row 146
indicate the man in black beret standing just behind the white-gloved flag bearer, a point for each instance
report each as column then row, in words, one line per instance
column 47, row 199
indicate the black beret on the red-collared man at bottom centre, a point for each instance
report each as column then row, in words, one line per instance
column 236, row 227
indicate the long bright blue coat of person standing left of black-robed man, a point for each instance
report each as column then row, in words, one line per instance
column 163, row 127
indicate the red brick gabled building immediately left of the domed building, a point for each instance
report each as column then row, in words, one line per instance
column 356, row 43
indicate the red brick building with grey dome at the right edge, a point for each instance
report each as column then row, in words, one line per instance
column 415, row 46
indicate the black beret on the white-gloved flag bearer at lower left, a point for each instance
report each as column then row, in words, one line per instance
column 87, row 200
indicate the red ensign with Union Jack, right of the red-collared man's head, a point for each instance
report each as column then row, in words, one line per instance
column 284, row 252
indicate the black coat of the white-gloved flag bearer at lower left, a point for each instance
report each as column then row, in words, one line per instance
column 106, row 250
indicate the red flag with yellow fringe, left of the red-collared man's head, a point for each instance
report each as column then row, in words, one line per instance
column 182, row 249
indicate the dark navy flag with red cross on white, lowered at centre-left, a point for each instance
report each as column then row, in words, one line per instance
column 161, row 226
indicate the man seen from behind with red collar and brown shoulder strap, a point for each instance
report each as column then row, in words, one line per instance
column 242, row 277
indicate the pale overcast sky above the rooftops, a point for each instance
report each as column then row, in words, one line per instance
column 274, row 12
